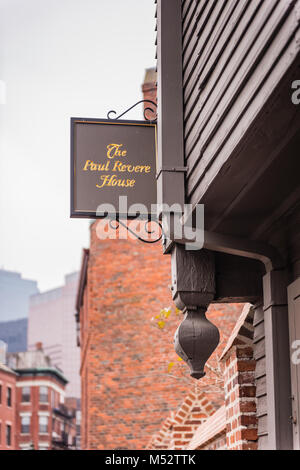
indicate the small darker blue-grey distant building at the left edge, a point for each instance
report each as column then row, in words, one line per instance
column 14, row 334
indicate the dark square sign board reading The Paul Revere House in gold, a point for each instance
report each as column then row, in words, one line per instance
column 109, row 159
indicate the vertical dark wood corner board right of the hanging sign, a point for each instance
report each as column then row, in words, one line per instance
column 170, row 185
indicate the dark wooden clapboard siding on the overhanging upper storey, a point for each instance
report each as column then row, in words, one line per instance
column 235, row 52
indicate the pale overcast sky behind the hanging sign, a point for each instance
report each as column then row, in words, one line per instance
column 59, row 58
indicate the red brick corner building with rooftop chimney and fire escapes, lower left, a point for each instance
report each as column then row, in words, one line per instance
column 44, row 421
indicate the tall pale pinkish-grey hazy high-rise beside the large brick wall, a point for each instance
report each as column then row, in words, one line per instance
column 52, row 321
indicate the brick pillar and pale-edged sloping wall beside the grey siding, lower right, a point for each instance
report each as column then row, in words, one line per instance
column 234, row 425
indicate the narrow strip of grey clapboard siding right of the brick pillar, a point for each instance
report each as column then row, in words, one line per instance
column 260, row 376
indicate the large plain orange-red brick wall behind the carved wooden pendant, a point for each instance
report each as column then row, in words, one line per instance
column 127, row 391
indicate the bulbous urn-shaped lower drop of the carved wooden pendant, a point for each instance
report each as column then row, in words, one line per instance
column 195, row 340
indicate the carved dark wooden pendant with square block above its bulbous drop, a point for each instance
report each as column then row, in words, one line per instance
column 193, row 288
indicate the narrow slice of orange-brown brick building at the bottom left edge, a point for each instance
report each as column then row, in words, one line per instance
column 7, row 408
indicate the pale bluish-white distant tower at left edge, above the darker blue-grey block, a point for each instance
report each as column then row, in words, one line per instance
column 14, row 295
